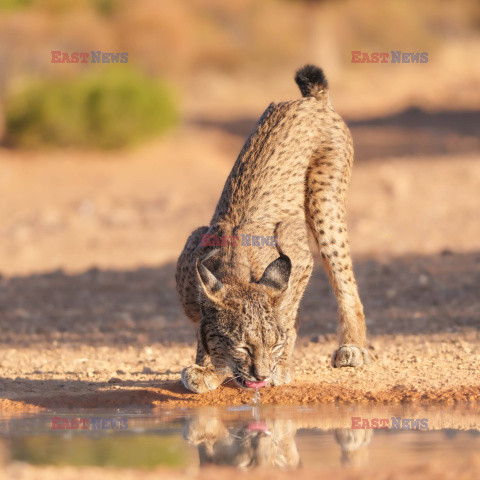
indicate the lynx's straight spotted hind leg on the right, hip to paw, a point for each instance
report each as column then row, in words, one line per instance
column 328, row 180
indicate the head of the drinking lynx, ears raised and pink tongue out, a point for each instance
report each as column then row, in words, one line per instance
column 241, row 327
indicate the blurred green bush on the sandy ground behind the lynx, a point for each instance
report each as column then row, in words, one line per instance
column 110, row 109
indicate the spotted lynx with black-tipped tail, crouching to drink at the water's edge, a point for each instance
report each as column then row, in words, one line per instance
column 241, row 278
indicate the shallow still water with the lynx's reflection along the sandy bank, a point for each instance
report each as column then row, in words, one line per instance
column 243, row 437
